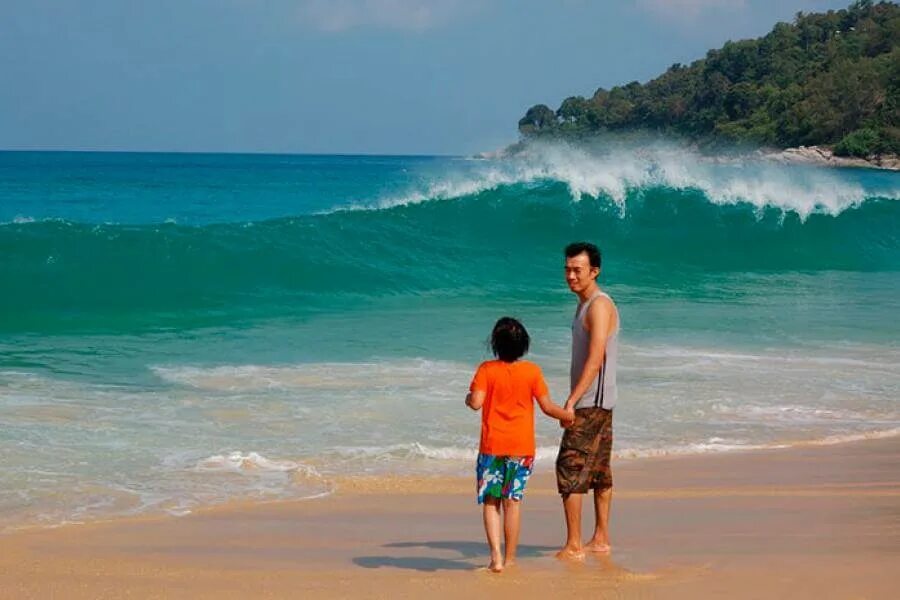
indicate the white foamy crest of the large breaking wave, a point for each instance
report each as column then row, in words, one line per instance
column 629, row 170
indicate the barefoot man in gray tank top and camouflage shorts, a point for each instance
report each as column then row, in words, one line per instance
column 584, row 452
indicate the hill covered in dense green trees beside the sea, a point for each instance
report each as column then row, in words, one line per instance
column 826, row 79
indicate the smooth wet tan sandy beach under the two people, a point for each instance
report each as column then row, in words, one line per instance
column 808, row 522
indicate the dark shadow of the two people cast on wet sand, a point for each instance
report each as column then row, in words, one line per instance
column 465, row 551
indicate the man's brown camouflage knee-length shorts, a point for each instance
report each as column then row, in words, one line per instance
column 584, row 452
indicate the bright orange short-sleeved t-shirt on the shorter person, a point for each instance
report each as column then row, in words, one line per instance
column 507, row 416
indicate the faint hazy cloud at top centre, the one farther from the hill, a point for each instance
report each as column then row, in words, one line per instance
column 410, row 15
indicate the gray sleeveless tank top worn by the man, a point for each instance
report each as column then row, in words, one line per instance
column 603, row 389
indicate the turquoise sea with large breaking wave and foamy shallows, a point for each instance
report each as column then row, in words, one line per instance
column 179, row 329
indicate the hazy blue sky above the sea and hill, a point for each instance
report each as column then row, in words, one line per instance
column 333, row 76
